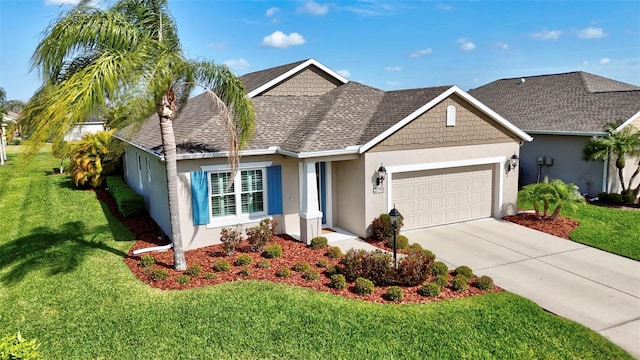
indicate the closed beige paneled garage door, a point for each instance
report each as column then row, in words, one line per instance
column 442, row 196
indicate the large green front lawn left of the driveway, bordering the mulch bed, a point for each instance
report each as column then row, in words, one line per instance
column 64, row 283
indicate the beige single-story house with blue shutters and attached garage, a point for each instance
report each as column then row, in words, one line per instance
column 313, row 163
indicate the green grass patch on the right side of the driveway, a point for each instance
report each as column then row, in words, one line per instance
column 612, row 230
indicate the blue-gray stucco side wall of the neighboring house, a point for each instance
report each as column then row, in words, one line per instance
column 567, row 164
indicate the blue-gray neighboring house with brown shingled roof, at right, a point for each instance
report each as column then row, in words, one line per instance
column 563, row 112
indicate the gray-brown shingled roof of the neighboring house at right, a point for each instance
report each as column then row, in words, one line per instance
column 576, row 102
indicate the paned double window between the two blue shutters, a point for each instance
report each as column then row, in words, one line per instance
column 243, row 195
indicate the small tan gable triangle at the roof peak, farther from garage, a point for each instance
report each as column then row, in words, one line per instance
column 309, row 82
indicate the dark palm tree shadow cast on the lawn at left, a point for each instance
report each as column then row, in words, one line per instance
column 57, row 252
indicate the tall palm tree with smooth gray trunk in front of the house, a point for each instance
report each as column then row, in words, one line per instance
column 129, row 54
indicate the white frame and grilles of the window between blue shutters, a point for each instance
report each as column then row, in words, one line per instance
column 239, row 217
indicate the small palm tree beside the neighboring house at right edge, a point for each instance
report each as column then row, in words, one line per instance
column 618, row 144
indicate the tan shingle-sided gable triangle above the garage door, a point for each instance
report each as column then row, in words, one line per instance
column 430, row 129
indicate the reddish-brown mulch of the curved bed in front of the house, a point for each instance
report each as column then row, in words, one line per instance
column 149, row 234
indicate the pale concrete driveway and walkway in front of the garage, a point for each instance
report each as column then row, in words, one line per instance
column 594, row 288
